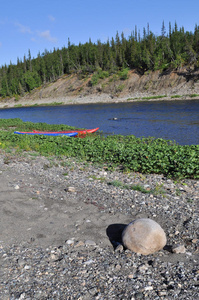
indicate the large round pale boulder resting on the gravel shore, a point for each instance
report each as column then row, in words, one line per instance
column 144, row 236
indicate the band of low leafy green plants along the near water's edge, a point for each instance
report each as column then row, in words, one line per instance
column 146, row 155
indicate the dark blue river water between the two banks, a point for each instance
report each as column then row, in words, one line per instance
column 174, row 120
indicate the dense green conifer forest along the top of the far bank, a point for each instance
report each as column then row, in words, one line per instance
column 150, row 52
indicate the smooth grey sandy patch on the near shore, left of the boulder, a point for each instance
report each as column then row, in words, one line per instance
column 40, row 211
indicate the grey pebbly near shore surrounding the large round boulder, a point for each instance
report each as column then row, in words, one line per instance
column 61, row 223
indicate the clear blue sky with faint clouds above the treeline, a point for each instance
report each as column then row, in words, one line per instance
column 40, row 24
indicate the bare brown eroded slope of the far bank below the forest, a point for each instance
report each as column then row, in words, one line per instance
column 77, row 88
